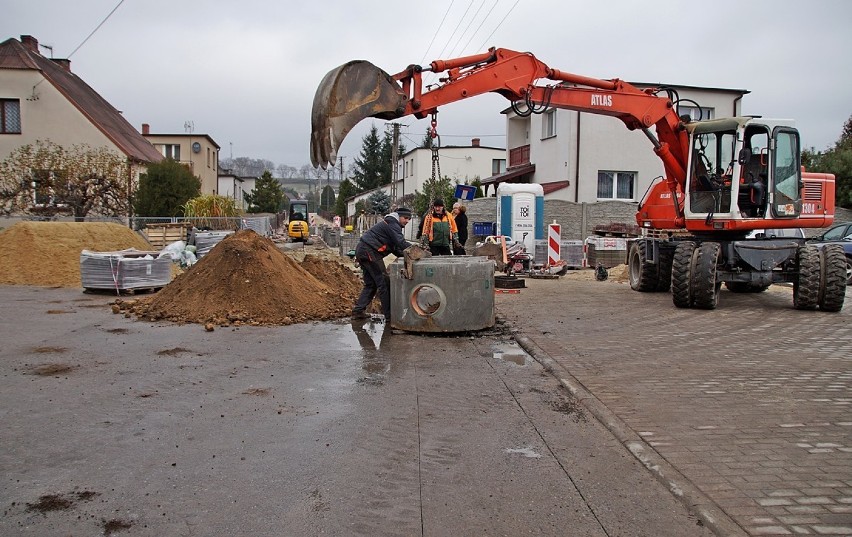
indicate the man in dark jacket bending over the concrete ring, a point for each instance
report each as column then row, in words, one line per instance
column 375, row 244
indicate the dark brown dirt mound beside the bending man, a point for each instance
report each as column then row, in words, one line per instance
column 246, row 279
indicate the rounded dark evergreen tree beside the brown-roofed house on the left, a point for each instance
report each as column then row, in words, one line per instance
column 164, row 189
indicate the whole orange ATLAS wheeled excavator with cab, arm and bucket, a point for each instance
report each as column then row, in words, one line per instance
column 723, row 177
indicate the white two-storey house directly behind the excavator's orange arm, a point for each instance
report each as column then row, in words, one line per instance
column 585, row 157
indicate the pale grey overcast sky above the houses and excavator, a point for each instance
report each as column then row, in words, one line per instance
column 245, row 72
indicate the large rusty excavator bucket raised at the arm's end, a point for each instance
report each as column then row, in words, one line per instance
column 347, row 94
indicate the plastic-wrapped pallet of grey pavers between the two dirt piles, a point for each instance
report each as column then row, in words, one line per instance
column 124, row 270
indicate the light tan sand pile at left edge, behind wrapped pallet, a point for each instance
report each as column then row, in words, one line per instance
column 48, row 253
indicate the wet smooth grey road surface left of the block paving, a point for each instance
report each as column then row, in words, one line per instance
column 116, row 426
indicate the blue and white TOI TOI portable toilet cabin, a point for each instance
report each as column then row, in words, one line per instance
column 520, row 209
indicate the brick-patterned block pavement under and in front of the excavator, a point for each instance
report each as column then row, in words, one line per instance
column 749, row 402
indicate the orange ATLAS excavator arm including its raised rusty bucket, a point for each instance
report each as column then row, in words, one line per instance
column 358, row 90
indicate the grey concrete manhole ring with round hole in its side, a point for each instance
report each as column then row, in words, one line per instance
column 446, row 294
